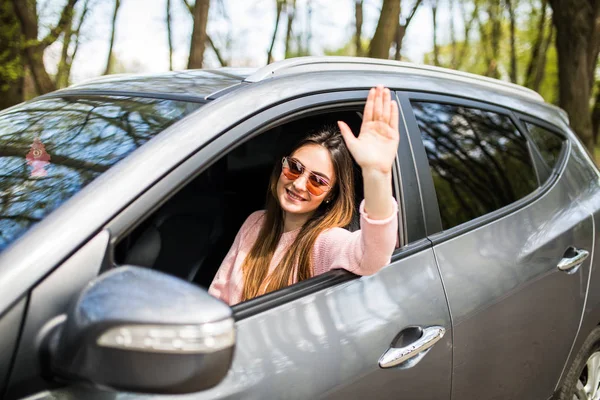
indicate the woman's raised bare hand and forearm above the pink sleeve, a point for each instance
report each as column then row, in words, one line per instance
column 375, row 149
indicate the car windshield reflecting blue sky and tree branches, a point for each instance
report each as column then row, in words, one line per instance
column 51, row 148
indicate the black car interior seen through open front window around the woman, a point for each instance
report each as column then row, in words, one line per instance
column 190, row 234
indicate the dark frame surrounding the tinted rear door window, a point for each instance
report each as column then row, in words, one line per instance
column 435, row 232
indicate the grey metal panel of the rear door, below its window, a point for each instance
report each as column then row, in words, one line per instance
column 515, row 315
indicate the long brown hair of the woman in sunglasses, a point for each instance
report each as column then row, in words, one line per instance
column 298, row 258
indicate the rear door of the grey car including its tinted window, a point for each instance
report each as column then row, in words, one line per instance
column 503, row 226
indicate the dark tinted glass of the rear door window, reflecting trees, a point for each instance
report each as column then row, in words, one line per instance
column 479, row 161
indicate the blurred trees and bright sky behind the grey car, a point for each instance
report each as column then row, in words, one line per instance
column 550, row 46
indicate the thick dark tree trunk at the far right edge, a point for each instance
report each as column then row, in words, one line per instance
column 577, row 25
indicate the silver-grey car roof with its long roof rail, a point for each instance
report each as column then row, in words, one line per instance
column 204, row 84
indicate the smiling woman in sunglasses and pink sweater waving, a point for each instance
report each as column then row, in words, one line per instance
column 309, row 201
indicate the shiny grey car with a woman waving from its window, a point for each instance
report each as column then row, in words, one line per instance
column 121, row 196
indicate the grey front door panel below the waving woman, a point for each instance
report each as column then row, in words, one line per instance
column 327, row 344
